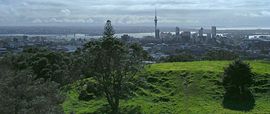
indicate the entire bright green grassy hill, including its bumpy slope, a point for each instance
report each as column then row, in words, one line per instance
column 190, row 87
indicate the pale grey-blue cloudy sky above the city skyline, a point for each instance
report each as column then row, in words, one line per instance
column 227, row 13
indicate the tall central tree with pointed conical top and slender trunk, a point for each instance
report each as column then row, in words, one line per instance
column 112, row 64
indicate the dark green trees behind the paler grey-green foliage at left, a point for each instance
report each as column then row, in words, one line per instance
column 59, row 67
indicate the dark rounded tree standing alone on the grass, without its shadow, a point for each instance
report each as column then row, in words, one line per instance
column 238, row 76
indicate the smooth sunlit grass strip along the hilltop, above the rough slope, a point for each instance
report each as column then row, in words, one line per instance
column 260, row 67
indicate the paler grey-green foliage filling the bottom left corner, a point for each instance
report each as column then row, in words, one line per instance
column 21, row 93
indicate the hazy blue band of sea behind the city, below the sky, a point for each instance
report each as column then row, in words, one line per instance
column 69, row 32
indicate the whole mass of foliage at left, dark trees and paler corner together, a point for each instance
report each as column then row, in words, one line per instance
column 30, row 81
